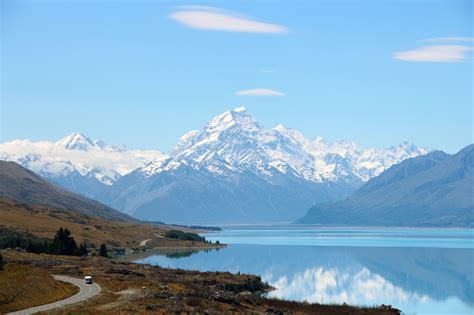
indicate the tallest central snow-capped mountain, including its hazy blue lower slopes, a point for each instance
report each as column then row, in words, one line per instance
column 236, row 171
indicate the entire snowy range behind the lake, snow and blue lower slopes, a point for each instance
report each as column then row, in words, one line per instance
column 231, row 171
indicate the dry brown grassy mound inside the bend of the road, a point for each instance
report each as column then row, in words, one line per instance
column 27, row 286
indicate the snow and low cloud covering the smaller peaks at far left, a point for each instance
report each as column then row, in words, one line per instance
column 77, row 154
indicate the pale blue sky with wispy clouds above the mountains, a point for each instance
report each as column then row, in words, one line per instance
column 143, row 73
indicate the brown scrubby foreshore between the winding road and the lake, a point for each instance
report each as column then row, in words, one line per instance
column 142, row 288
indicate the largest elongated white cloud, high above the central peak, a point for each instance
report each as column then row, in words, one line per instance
column 206, row 18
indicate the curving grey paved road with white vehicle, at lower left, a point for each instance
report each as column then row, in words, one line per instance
column 86, row 292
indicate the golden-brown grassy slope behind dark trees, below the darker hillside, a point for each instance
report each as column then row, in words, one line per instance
column 44, row 221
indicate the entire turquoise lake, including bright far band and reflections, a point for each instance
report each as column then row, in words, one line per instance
column 420, row 271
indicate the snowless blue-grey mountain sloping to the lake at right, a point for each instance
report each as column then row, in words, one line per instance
column 436, row 189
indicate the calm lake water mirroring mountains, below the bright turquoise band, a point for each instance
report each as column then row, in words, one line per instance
column 416, row 280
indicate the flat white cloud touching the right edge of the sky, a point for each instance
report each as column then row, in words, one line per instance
column 437, row 53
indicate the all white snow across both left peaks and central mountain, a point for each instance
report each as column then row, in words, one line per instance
column 230, row 142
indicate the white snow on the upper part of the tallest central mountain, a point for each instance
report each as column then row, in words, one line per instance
column 234, row 141
